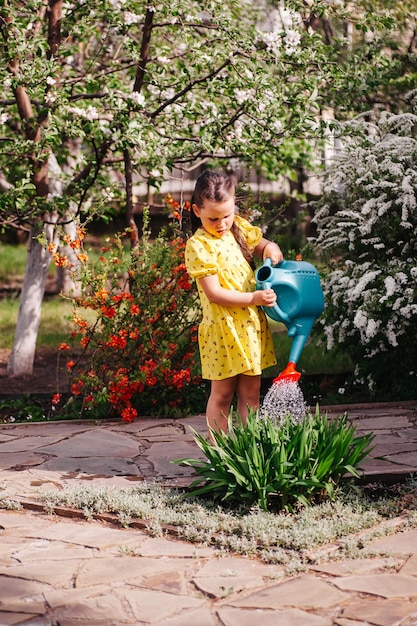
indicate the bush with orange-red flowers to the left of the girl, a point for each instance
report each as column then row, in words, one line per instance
column 136, row 323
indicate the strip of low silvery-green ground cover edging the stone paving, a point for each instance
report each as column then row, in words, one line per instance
column 358, row 516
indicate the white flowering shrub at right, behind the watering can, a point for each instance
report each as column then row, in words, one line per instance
column 367, row 226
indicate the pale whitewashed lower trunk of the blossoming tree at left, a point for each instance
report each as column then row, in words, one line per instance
column 24, row 345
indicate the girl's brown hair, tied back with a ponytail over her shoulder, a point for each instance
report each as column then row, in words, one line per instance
column 217, row 186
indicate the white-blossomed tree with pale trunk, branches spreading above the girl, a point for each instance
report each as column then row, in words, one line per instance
column 97, row 93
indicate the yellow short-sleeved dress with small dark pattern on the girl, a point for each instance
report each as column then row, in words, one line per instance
column 232, row 339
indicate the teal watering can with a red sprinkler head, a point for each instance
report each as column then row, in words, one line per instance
column 300, row 301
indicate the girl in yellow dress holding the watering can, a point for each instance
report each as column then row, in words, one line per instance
column 234, row 337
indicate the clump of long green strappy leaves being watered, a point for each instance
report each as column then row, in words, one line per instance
column 277, row 467
